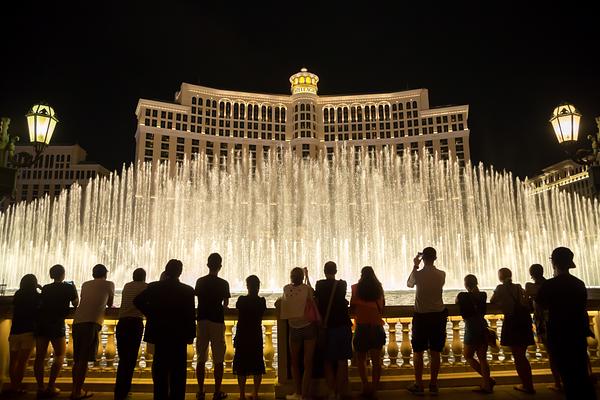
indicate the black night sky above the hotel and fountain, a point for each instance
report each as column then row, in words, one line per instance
column 511, row 65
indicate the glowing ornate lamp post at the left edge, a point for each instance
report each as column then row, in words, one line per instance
column 41, row 121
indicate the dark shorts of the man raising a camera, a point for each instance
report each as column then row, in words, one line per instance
column 429, row 331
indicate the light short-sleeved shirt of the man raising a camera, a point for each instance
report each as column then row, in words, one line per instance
column 430, row 283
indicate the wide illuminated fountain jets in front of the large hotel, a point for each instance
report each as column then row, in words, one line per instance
column 295, row 212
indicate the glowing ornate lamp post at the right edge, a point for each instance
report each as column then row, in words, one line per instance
column 565, row 122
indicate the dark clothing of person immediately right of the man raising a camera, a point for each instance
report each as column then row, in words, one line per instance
column 472, row 309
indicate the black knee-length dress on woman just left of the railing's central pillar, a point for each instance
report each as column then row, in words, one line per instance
column 248, row 341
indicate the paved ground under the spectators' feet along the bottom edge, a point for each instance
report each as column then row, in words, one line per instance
column 501, row 392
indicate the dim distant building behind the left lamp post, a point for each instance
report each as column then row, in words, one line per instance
column 57, row 169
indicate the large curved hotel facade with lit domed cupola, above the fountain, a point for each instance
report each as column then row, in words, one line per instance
column 226, row 125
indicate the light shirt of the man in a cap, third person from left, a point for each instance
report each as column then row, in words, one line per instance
column 95, row 295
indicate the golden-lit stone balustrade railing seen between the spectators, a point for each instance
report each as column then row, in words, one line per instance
column 397, row 357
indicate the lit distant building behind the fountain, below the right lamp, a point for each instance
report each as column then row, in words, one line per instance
column 569, row 176
